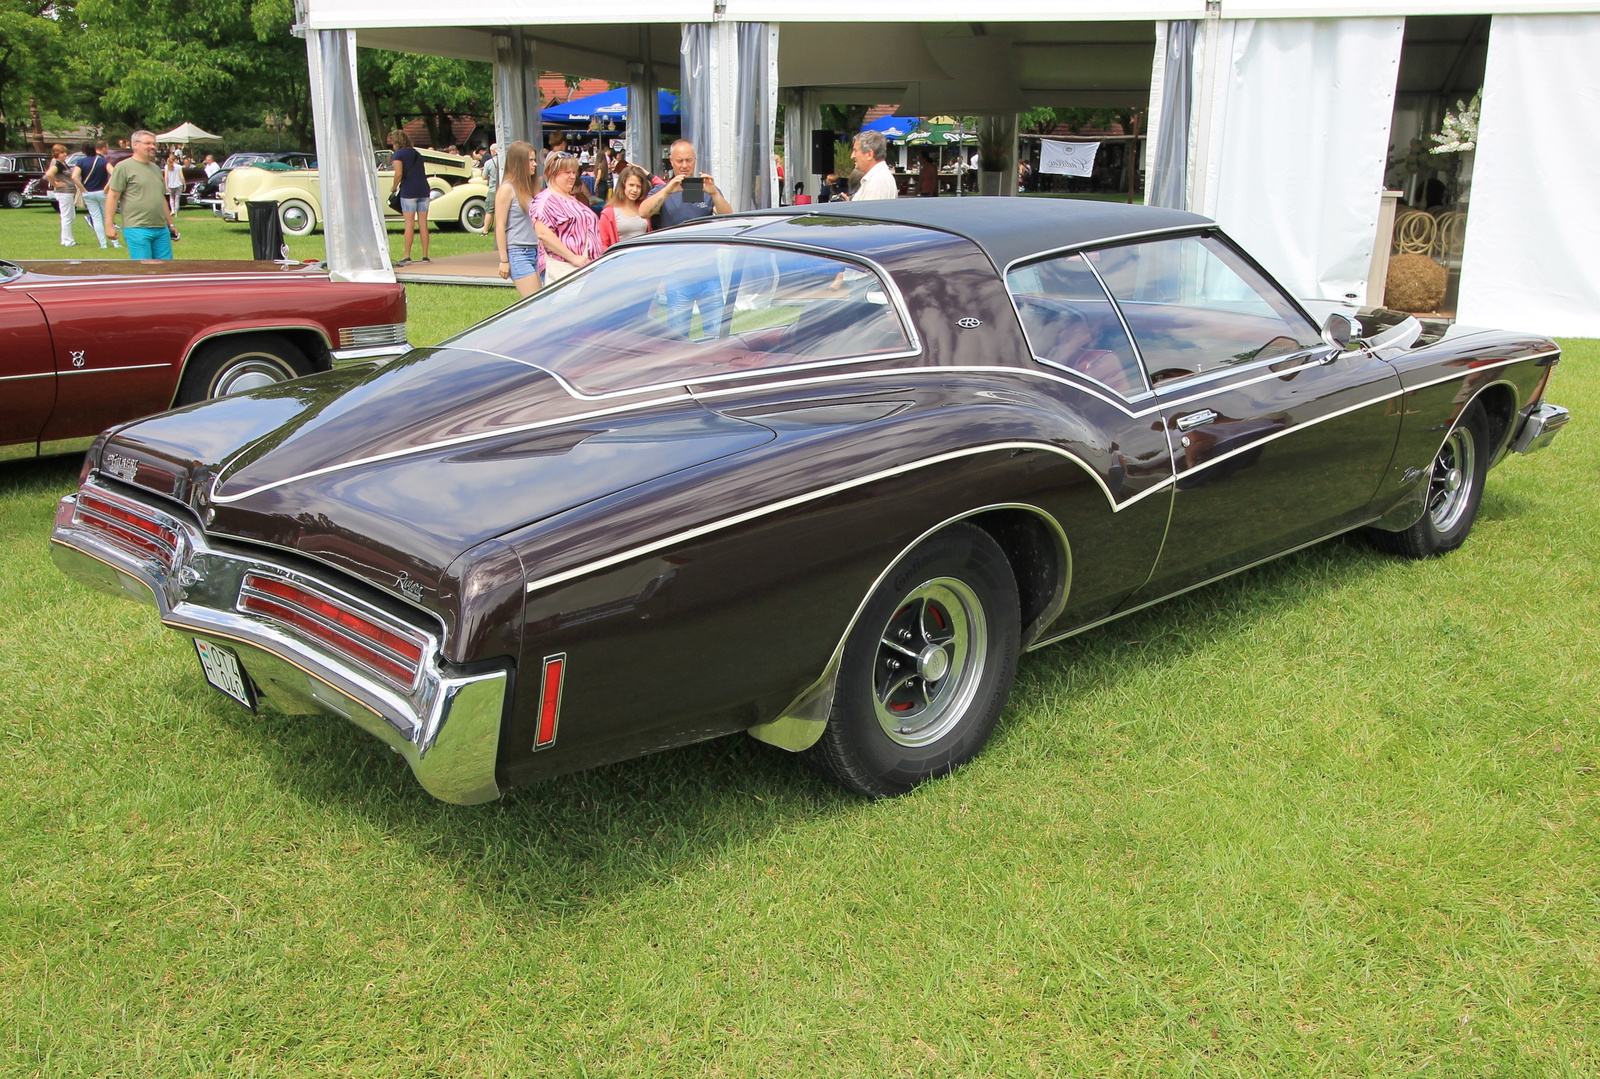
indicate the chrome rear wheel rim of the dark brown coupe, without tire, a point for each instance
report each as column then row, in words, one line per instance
column 930, row 660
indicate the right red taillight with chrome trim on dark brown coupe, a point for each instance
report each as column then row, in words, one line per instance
column 386, row 649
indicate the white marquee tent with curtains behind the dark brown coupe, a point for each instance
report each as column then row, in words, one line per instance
column 1270, row 116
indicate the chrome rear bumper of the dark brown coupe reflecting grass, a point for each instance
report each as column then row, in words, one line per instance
column 447, row 728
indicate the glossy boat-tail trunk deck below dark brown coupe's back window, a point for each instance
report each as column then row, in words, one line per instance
column 398, row 471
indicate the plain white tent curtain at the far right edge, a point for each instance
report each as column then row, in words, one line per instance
column 1534, row 225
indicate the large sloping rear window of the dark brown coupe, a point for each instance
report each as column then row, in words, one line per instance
column 689, row 313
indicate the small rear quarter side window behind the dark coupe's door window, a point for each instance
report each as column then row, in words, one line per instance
column 1073, row 324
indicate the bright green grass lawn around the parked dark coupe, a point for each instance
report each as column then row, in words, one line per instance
column 1334, row 817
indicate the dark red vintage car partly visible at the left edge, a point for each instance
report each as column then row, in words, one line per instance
column 89, row 345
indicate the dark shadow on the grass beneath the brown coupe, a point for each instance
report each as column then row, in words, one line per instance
column 593, row 836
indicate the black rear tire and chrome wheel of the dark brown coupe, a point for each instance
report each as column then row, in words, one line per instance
column 927, row 670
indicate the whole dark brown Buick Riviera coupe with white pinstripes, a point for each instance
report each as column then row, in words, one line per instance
column 818, row 476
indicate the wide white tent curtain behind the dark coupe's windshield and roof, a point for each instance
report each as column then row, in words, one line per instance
column 1290, row 142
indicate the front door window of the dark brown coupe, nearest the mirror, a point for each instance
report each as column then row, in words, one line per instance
column 1196, row 307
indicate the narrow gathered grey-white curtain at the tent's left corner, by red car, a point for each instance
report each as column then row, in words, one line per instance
column 348, row 175
